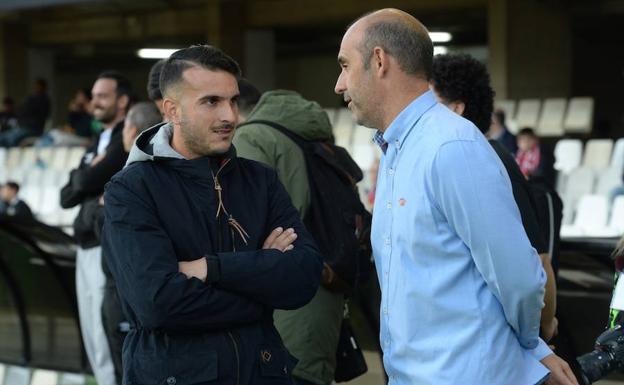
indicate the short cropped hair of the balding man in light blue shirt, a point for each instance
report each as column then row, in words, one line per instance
column 412, row 49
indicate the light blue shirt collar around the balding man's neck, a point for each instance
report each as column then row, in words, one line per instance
column 400, row 127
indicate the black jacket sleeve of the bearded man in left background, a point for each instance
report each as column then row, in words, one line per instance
column 90, row 180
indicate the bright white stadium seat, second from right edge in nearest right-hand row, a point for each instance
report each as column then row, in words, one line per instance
column 591, row 217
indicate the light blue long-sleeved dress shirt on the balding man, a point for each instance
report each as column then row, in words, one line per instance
column 462, row 288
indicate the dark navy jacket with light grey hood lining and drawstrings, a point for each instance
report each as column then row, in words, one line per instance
column 161, row 210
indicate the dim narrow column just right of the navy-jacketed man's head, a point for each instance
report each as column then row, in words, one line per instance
column 260, row 58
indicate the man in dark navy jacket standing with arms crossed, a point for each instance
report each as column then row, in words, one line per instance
column 204, row 245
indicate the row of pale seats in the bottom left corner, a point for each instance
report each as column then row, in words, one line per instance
column 18, row 375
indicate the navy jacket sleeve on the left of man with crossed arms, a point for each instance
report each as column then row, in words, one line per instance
column 143, row 262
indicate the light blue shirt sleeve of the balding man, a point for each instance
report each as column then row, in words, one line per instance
column 472, row 191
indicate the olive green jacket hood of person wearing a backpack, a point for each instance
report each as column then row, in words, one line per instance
column 289, row 109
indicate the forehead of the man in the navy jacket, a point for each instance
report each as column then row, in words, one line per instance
column 204, row 81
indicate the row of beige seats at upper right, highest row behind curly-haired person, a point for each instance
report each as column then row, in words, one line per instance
column 549, row 117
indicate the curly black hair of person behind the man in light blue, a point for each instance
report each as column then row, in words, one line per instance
column 460, row 77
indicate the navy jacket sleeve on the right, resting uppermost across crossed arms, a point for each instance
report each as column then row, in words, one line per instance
column 279, row 280
